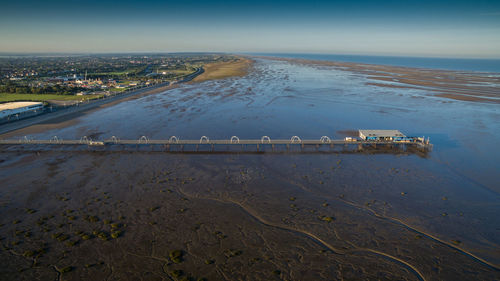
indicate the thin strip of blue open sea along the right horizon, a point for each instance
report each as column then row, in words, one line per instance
column 481, row 65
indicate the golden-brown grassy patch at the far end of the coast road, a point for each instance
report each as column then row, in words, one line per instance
column 221, row 70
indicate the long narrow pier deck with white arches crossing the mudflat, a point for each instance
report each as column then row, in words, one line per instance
column 234, row 144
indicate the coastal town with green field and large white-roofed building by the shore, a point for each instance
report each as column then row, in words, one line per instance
column 32, row 86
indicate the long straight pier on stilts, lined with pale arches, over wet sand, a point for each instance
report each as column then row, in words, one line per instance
column 178, row 145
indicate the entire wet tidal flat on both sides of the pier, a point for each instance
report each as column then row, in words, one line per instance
column 150, row 215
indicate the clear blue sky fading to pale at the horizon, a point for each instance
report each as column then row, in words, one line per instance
column 403, row 27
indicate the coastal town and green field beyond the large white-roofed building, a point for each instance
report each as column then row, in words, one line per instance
column 34, row 78
